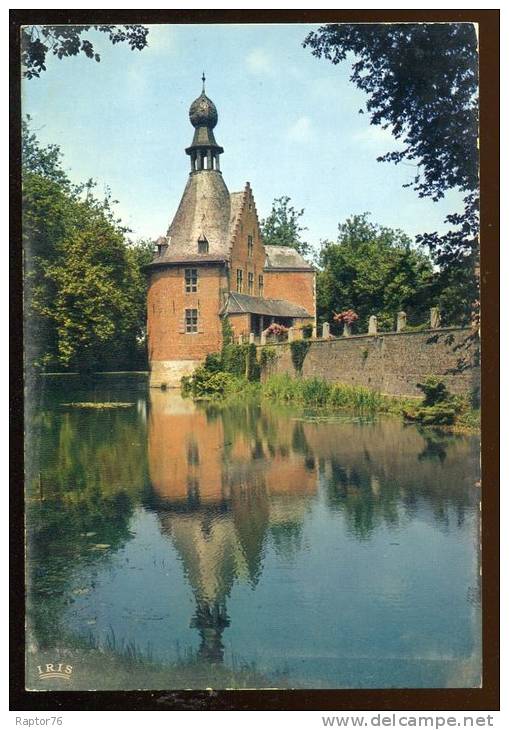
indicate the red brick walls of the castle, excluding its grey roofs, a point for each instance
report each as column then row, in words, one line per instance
column 185, row 300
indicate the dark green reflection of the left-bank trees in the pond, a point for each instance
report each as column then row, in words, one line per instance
column 85, row 474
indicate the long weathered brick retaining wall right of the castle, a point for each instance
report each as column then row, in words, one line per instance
column 393, row 362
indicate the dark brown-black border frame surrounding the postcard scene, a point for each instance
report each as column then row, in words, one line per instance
column 485, row 698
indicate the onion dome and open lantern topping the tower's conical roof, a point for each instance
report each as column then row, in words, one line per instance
column 204, row 150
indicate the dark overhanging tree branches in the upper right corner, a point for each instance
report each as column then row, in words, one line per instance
column 421, row 81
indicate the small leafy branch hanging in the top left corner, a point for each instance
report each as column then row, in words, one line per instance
column 67, row 40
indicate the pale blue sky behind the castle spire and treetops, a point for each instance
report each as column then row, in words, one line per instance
column 288, row 122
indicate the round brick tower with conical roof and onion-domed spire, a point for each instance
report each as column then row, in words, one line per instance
column 188, row 276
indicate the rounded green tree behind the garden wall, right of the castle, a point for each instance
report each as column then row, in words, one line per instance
column 373, row 270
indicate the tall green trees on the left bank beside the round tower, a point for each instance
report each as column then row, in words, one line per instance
column 85, row 289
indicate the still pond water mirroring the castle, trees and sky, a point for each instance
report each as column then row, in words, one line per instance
column 323, row 552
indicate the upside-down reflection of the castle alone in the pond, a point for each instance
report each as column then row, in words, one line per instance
column 223, row 482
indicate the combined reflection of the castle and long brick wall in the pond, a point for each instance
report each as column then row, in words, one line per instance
column 228, row 483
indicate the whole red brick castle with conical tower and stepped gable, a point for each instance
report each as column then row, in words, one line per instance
column 212, row 264
